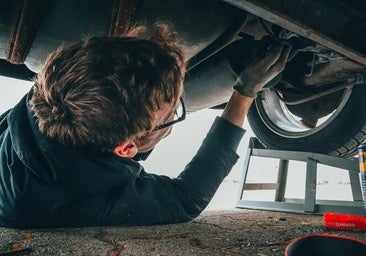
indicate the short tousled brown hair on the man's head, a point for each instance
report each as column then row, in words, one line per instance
column 103, row 91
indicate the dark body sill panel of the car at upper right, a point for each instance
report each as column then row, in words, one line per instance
column 329, row 23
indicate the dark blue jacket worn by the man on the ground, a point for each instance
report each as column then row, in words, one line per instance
column 44, row 184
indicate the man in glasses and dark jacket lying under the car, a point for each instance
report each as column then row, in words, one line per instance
column 69, row 150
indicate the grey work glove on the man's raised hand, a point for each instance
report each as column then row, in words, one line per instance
column 260, row 71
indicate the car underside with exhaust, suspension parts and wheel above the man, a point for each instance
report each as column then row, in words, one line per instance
column 317, row 104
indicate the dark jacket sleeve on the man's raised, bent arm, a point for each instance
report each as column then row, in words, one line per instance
column 156, row 199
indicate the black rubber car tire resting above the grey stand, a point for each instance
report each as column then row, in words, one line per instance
column 339, row 136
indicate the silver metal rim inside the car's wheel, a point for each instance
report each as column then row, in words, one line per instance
column 278, row 118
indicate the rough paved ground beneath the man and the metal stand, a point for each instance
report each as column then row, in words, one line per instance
column 236, row 232
